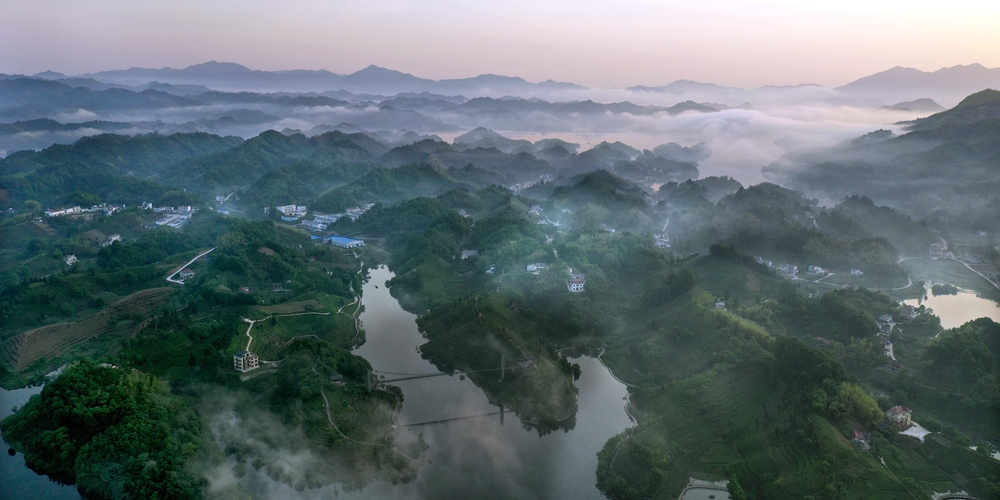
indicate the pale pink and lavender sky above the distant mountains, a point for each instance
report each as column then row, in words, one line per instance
column 601, row 44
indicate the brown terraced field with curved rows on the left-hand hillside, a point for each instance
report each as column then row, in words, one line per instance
column 52, row 341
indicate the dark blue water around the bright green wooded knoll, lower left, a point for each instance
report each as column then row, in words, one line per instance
column 18, row 481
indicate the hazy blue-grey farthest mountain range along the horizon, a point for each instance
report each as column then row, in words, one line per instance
column 946, row 85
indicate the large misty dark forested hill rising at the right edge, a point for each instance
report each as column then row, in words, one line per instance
column 944, row 169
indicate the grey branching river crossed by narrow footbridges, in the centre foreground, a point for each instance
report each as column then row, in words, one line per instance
column 482, row 457
